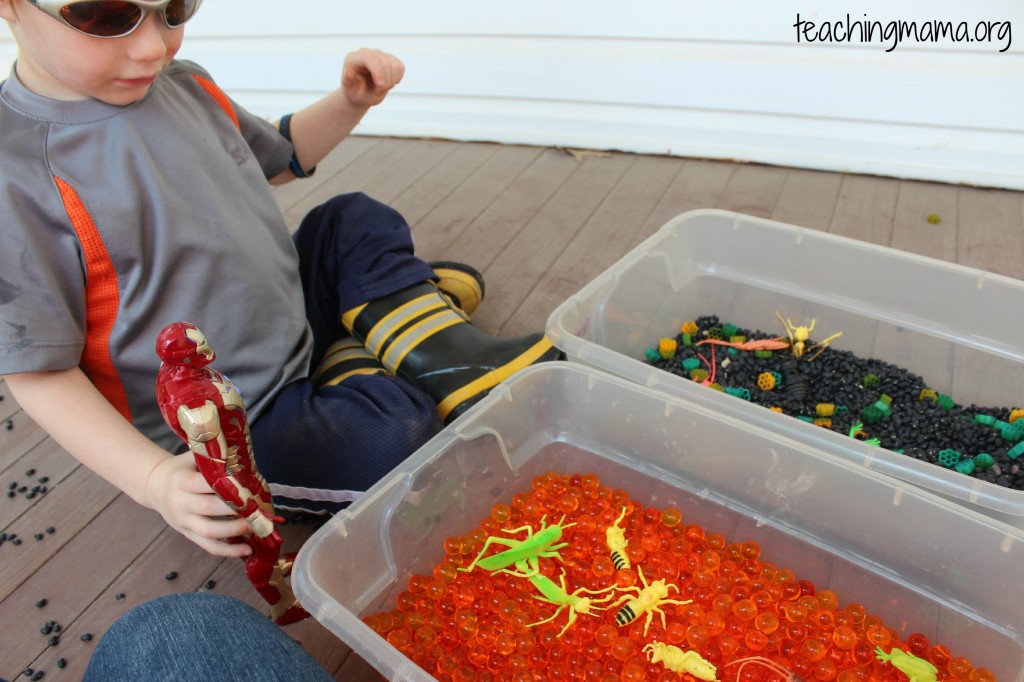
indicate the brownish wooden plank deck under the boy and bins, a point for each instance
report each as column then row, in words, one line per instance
column 540, row 224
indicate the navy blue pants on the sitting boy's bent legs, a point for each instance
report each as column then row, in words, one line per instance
column 320, row 448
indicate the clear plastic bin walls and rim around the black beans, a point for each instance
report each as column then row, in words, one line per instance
column 958, row 328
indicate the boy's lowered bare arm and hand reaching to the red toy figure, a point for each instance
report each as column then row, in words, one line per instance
column 75, row 414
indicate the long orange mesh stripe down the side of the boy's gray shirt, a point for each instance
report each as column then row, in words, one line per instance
column 103, row 300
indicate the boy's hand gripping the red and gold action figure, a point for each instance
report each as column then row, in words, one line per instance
column 178, row 490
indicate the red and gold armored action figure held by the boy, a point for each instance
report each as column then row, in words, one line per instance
column 206, row 411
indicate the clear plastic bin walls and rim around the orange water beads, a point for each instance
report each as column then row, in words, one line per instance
column 921, row 563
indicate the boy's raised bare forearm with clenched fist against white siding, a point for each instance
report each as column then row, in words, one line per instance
column 367, row 77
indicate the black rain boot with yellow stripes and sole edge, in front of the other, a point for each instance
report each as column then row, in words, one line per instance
column 419, row 335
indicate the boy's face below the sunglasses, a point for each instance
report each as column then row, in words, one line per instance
column 60, row 63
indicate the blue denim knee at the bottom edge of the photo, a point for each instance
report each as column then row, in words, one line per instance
column 199, row 636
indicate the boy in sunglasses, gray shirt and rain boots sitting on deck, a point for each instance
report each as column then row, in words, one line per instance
column 135, row 194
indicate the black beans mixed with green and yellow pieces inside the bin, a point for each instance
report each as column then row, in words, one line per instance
column 892, row 405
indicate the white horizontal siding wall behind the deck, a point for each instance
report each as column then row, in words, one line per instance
column 681, row 77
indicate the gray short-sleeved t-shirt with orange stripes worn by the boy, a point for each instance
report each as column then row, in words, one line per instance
column 116, row 222
